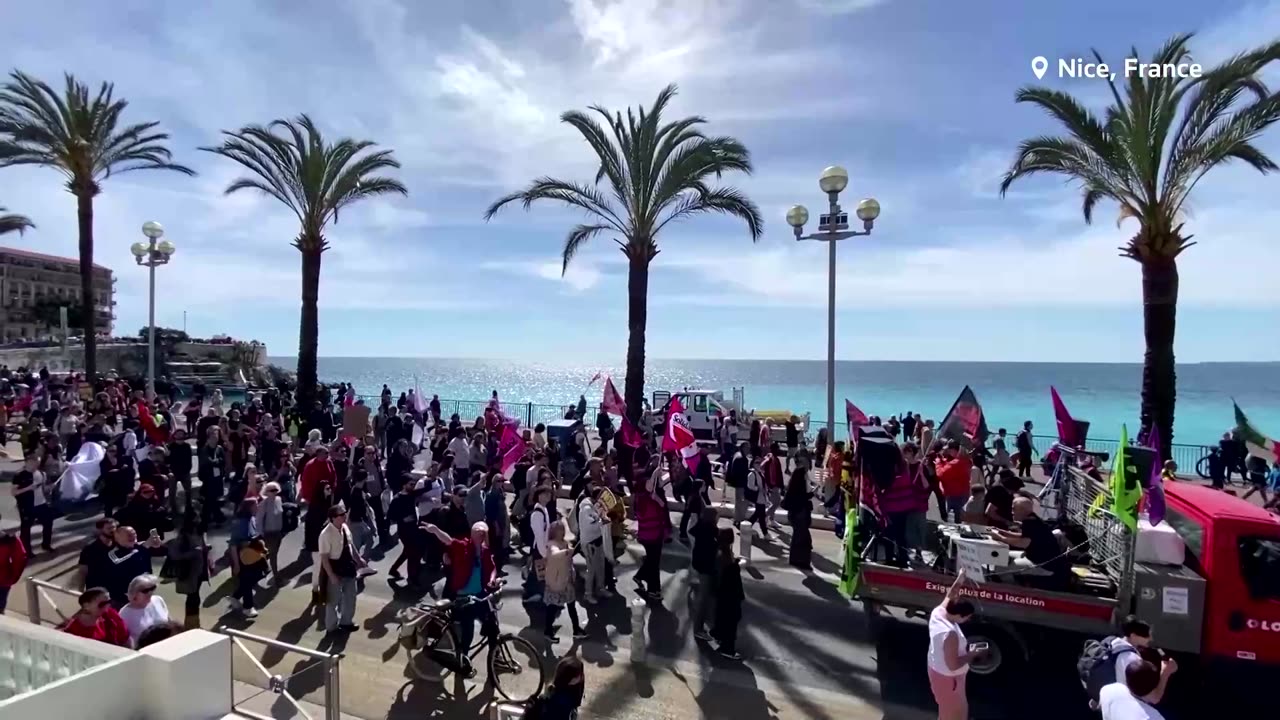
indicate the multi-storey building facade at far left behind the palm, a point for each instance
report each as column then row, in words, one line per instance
column 34, row 282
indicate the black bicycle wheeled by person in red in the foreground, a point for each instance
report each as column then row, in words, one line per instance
column 428, row 631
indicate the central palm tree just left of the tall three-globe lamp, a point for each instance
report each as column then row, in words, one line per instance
column 651, row 175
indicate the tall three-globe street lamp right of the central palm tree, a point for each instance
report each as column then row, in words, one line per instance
column 833, row 227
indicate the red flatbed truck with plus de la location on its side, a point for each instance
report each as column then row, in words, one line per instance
column 1219, row 612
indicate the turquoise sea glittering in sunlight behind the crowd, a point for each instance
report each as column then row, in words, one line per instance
column 1108, row 395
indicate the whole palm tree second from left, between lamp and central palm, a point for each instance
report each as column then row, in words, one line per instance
column 291, row 162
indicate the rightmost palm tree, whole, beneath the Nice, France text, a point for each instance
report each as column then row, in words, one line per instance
column 1150, row 151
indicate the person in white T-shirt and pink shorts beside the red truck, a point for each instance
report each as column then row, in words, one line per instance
column 950, row 653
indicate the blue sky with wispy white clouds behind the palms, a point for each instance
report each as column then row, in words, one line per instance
column 915, row 98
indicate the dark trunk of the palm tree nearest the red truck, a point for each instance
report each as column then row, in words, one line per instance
column 1159, row 375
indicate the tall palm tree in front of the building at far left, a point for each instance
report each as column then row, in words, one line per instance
column 81, row 136
